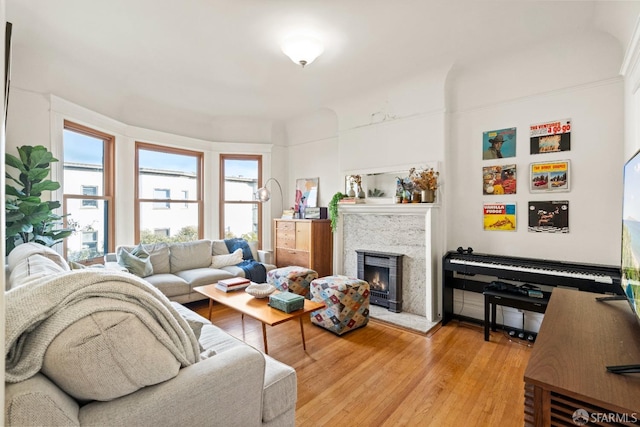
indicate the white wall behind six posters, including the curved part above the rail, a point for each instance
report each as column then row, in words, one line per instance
column 520, row 90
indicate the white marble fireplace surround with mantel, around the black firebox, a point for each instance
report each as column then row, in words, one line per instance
column 409, row 229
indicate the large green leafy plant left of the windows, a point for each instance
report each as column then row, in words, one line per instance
column 28, row 218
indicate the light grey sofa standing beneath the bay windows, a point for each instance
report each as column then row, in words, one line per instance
column 179, row 267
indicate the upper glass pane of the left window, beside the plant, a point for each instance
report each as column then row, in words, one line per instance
column 83, row 163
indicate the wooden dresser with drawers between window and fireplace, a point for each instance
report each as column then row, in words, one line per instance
column 304, row 242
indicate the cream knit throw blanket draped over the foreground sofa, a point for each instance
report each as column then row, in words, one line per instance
column 37, row 312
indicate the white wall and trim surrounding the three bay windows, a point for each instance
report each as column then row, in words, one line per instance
column 37, row 119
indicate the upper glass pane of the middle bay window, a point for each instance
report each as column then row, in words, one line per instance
column 173, row 174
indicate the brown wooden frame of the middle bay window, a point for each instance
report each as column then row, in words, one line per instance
column 199, row 155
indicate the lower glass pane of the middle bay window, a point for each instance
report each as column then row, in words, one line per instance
column 175, row 224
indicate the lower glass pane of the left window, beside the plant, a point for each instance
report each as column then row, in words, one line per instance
column 91, row 228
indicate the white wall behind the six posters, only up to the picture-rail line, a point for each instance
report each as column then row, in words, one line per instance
column 595, row 176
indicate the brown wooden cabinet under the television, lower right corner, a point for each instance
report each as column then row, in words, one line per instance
column 578, row 339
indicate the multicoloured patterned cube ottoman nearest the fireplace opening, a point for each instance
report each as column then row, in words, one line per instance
column 346, row 300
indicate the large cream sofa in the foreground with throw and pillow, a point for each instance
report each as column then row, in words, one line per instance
column 77, row 381
